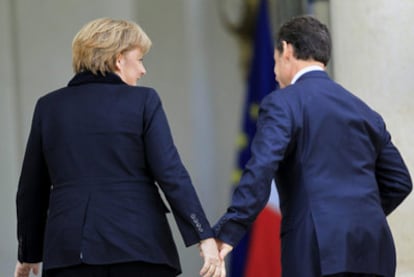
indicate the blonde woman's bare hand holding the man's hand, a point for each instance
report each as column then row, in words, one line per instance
column 213, row 266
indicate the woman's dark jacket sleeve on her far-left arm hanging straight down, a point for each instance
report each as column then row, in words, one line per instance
column 32, row 198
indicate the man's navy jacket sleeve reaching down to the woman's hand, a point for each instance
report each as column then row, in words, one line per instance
column 273, row 135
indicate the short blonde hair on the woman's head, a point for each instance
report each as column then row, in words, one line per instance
column 97, row 45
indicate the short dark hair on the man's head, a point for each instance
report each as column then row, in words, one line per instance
column 308, row 36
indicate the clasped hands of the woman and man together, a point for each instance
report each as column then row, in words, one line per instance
column 213, row 252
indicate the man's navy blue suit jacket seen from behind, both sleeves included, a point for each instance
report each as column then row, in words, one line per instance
column 338, row 176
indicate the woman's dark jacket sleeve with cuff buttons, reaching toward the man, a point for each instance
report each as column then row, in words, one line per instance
column 171, row 175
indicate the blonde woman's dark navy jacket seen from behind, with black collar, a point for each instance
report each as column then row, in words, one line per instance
column 95, row 150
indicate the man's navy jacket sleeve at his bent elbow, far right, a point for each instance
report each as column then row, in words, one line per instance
column 392, row 175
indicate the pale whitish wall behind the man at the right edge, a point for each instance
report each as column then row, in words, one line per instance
column 373, row 56
